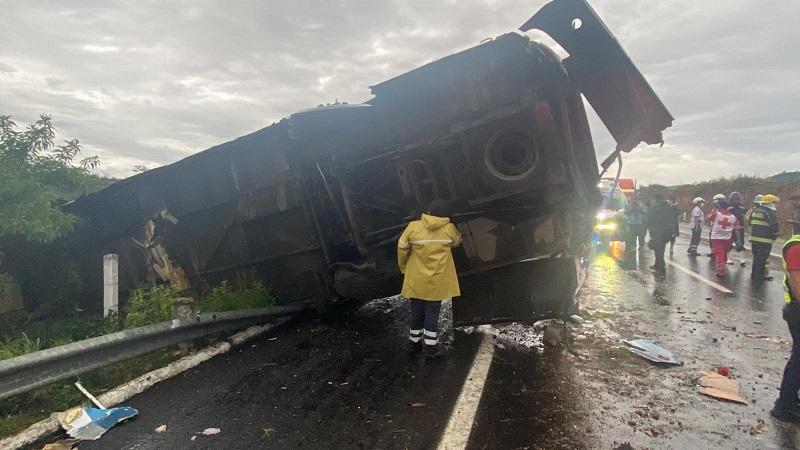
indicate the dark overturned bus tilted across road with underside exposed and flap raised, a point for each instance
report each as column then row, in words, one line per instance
column 314, row 204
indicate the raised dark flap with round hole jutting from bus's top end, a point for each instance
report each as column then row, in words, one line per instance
column 601, row 69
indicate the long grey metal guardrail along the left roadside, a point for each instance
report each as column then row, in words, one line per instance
column 27, row 372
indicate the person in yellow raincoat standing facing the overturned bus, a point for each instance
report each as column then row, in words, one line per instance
column 425, row 257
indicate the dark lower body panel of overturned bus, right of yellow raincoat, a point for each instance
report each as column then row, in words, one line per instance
column 523, row 291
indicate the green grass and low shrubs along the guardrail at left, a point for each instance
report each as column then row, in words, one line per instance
column 146, row 305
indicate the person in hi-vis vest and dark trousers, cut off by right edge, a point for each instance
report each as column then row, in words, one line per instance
column 787, row 406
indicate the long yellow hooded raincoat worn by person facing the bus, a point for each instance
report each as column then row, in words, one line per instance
column 424, row 254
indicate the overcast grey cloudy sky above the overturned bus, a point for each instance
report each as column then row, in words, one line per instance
column 150, row 82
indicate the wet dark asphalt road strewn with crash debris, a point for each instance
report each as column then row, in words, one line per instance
column 347, row 382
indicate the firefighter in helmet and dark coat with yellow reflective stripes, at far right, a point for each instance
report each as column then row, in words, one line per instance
column 764, row 230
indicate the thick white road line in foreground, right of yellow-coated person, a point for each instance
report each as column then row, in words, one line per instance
column 456, row 435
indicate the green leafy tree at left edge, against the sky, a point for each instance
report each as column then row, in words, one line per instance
column 35, row 172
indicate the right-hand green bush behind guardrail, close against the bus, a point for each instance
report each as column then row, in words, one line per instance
column 245, row 292
